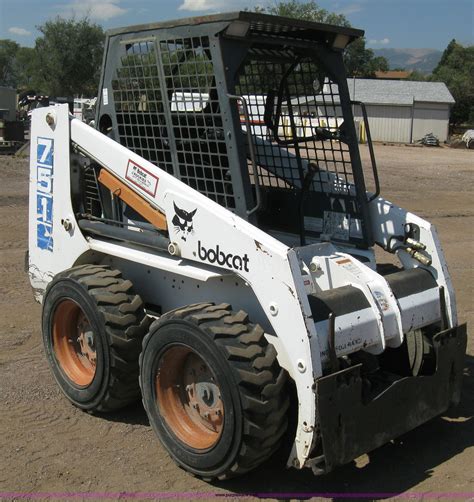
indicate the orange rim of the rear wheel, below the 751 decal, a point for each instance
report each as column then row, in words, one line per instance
column 74, row 343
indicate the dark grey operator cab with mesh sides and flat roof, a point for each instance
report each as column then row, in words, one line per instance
column 251, row 110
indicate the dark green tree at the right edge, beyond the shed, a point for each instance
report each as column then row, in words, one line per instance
column 456, row 70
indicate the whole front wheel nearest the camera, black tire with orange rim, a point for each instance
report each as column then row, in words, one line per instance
column 213, row 390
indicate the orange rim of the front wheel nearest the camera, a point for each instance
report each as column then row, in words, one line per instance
column 189, row 398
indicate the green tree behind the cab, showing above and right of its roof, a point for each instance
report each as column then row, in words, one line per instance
column 359, row 60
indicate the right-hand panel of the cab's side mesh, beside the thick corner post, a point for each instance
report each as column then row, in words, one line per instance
column 196, row 116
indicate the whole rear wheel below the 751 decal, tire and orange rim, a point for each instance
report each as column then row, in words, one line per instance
column 118, row 324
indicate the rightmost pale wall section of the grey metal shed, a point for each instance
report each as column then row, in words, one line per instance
column 430, row 117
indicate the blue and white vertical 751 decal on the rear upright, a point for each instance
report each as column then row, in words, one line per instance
column 44, row 193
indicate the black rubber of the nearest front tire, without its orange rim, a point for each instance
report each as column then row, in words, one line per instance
column 251, row 384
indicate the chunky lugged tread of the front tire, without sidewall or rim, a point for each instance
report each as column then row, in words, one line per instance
column 255, row 369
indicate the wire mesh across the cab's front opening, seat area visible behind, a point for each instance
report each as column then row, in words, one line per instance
column 298, row 132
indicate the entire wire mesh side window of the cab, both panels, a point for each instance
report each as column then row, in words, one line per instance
column 168, row 112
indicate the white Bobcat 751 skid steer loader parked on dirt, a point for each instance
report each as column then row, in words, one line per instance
column 210, row 247
